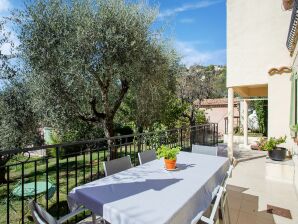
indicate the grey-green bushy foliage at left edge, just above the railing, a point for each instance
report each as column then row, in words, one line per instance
column 18, row 122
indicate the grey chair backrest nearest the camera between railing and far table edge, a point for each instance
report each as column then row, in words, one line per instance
column 117, row 165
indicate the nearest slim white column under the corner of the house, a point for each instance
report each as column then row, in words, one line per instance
column 230, row 122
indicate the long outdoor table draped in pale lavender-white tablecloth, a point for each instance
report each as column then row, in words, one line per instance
column 150, row 194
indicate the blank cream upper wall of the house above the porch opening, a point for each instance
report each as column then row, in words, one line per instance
column 256, row 40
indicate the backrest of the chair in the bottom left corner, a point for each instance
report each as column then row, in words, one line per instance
column 40, row 215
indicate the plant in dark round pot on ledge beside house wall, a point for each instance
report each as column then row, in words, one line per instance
column 271, row 145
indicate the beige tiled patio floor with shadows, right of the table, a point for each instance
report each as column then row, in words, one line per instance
column 249, row 195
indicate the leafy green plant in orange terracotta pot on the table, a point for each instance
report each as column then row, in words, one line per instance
column 170, row 156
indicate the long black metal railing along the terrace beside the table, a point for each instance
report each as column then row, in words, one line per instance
column 49, row 178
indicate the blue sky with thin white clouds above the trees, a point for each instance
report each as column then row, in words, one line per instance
column 197, row 27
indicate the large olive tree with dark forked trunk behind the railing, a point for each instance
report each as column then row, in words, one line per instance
column 84, row 57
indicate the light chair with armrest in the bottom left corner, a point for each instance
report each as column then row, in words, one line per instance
column 41, row 216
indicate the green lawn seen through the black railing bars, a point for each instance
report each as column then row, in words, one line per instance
column 83, row 176
